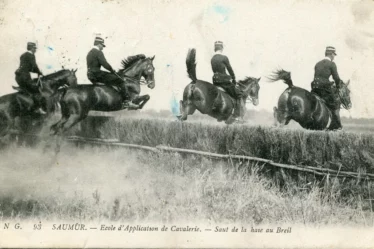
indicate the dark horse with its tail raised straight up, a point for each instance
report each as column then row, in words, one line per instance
column 201, row 95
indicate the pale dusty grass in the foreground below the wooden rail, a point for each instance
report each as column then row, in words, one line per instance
column 94, row 183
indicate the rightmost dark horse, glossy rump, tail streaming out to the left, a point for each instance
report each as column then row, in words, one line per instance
column 304, row 107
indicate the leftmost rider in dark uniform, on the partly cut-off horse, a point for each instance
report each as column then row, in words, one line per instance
column 23, row 78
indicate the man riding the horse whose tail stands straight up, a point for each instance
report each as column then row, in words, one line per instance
column 220, row 63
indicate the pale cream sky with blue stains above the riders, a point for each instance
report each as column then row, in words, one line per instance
column 259, row 37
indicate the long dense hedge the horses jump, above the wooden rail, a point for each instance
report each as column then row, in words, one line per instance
column 336, row 150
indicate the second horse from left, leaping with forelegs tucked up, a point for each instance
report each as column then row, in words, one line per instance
column 76, row 102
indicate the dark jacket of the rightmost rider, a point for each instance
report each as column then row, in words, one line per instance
column 324, row 69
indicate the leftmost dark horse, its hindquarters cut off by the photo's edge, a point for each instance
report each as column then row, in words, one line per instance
column 21, row 104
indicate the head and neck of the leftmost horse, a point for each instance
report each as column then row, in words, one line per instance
column 50, row 83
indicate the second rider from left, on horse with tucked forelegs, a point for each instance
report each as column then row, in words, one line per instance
column 96, row 59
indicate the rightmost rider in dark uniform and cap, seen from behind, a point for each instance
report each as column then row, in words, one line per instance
column 325, row 89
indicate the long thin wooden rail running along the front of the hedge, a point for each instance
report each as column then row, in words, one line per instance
column 161, row 148
